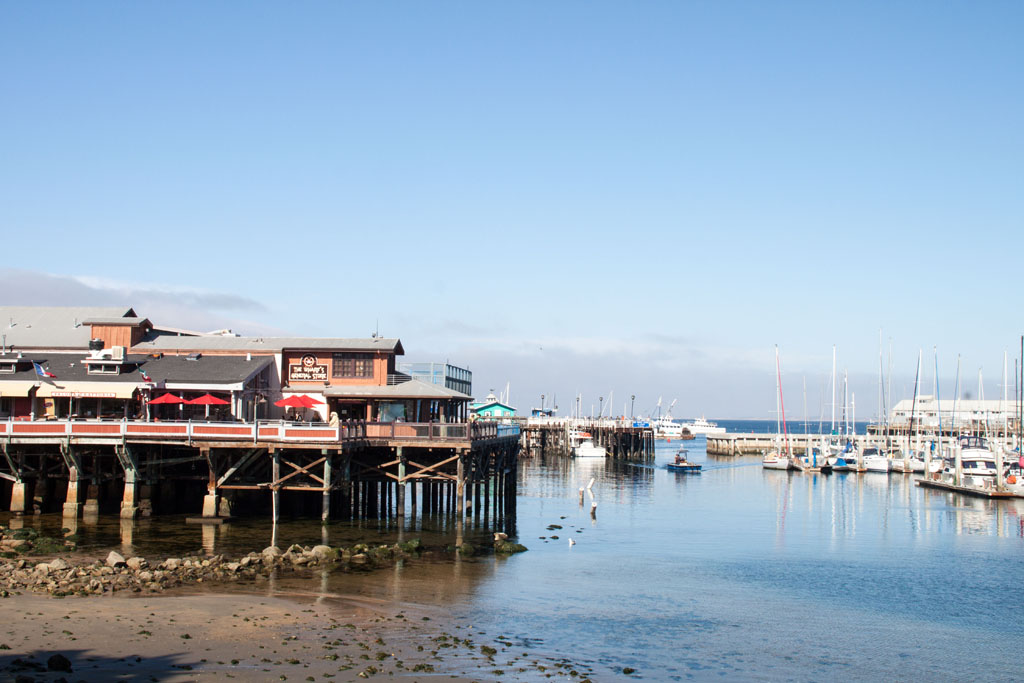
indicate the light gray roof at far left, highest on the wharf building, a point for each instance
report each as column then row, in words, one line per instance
column 54, row 327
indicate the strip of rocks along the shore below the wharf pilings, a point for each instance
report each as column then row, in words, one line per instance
column 67, row 575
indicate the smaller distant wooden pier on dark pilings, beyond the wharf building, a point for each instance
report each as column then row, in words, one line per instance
column 623, row 440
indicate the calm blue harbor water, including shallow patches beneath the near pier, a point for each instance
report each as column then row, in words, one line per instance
column 739, row 574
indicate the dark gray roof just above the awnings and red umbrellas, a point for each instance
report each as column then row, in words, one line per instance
column 207, row 370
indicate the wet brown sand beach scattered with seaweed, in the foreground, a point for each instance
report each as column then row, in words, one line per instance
column 241, row 636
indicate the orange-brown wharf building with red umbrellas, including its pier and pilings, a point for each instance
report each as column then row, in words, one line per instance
column 105, row 411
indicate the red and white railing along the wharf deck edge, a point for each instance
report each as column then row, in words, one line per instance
column 264, row 431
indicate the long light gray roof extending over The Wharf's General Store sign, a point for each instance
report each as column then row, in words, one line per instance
column 170, row 344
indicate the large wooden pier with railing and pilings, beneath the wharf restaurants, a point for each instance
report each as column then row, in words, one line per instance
column 355, row 471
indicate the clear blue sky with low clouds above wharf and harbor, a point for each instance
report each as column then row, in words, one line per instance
column 641, row 198
